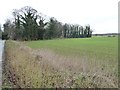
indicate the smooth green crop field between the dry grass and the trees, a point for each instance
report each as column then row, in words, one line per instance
column 99, row 48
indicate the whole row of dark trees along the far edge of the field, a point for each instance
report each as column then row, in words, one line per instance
column 29, row 25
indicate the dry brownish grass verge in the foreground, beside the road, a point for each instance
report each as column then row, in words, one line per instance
column 29, row 68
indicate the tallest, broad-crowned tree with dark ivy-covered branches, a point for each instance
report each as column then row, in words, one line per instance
column 27, row 18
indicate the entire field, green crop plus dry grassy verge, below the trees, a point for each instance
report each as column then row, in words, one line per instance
column 74, row 62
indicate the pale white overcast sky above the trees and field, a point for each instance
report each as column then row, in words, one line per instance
column 101, row 15
